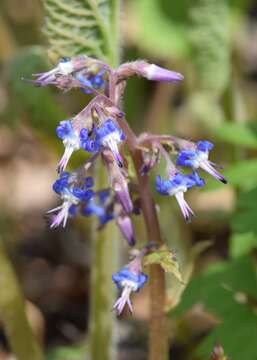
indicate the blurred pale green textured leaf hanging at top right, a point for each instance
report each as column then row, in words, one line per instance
column 210, row 42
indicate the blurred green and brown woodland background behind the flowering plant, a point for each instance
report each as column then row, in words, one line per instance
column 214, row 44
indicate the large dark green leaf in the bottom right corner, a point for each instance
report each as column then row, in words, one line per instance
column 218, row 290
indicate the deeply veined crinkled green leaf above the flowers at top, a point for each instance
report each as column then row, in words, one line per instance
column 82, row 27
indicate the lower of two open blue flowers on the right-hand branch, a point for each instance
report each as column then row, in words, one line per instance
column 176, row 186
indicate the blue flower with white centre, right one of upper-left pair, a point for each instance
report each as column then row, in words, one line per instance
column 109, row 135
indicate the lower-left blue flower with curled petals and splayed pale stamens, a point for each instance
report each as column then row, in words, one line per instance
column 73, row 193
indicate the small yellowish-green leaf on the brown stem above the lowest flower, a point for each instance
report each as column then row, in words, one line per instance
column 167, row 260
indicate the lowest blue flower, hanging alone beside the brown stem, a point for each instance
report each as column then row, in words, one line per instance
column 129, row 279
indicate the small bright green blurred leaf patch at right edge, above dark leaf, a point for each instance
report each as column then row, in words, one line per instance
column 242, row 244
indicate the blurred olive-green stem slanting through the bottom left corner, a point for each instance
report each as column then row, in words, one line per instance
column 13, row 315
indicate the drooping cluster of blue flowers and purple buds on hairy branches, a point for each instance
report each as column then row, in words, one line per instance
column 101, row 130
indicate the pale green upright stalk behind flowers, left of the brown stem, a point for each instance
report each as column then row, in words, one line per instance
column 105, row 250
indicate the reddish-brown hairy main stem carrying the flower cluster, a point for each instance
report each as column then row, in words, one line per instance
column 158, row 340
